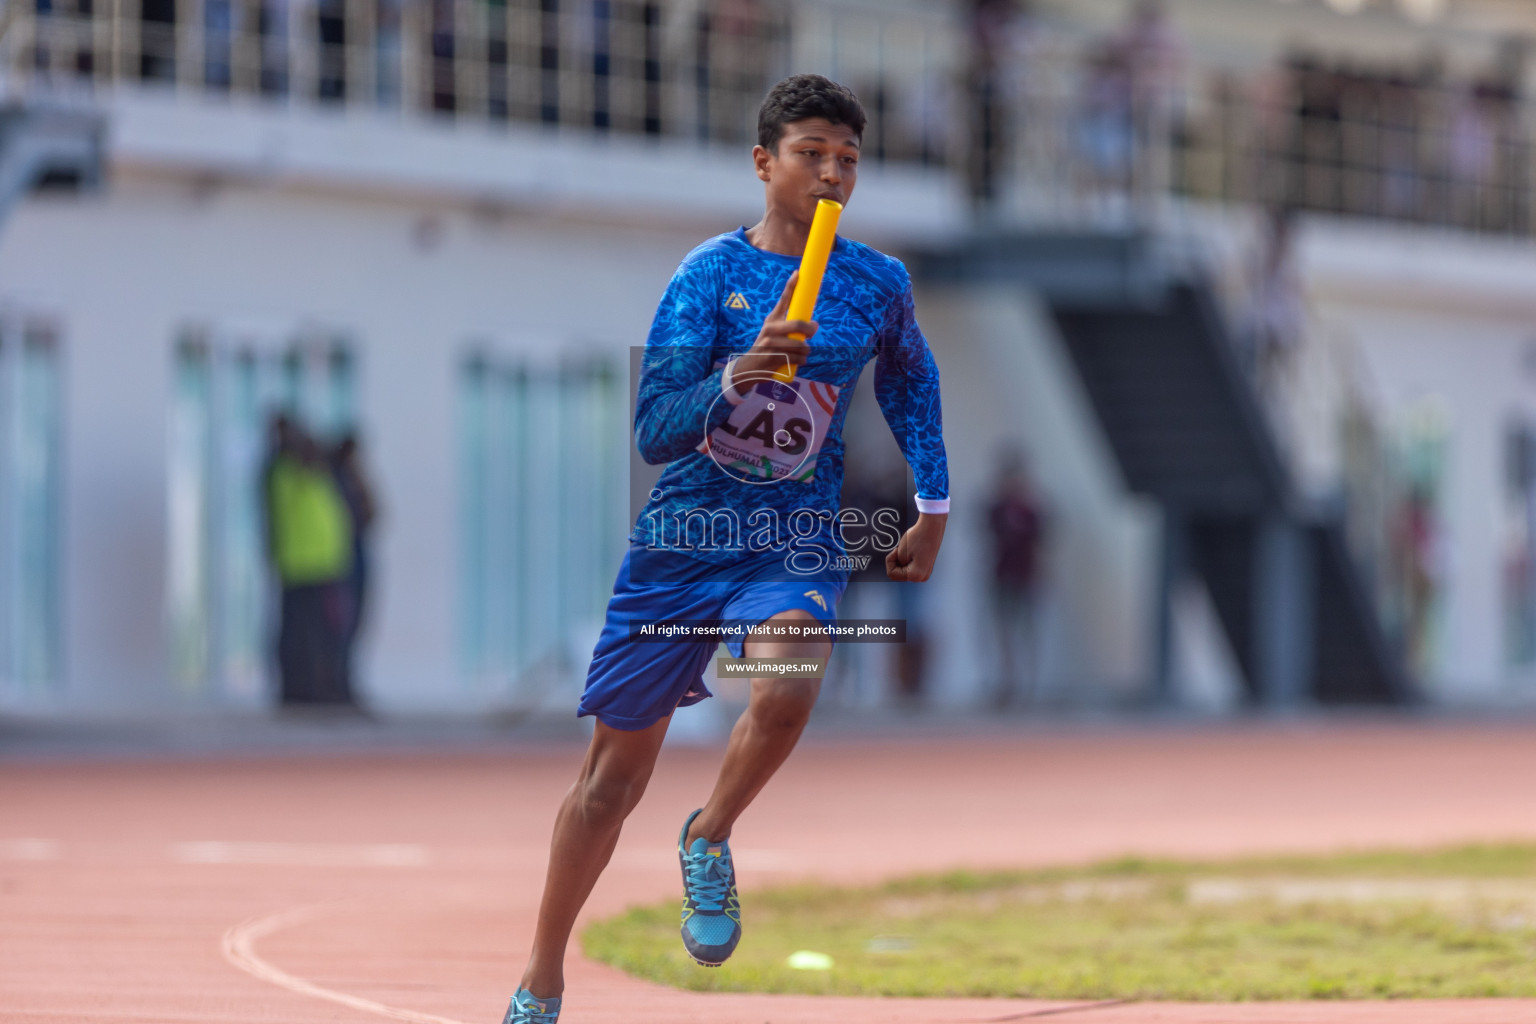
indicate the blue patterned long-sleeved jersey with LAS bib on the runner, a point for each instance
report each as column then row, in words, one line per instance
column 764, row 472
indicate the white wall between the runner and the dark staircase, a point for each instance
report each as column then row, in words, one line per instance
column 1007, row 382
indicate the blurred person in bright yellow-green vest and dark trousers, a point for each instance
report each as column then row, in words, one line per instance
column 310, row 544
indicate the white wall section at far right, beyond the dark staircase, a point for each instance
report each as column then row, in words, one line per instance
column 1449, row 319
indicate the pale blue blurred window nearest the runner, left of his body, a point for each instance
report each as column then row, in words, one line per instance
column 541, row 514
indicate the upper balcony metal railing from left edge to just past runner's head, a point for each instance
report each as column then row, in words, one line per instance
column 637, row 67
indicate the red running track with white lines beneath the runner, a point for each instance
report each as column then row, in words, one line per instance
column 369, row 888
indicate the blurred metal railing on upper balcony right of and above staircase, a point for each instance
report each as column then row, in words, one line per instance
column 1445, row 154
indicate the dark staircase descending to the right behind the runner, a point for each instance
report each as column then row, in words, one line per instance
column 1187, row 429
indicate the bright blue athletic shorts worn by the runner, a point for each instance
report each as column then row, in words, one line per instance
column 635, row 684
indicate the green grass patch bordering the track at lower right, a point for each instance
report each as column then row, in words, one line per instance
column 1351, row 927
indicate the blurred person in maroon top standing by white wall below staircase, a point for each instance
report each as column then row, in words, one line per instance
column 1018, row 529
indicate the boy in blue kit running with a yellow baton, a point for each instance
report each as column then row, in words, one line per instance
column 743, row 526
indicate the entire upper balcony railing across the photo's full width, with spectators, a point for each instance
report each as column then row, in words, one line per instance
column 1058, row 128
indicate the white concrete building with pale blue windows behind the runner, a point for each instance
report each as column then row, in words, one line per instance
column 465, row 286
